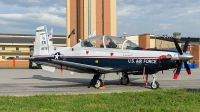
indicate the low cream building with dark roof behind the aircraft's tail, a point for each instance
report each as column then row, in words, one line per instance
column 21, row 45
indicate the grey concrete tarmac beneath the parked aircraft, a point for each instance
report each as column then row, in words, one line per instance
column 23, row 82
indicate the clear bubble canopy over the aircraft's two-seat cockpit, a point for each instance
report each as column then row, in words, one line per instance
column 108, row 42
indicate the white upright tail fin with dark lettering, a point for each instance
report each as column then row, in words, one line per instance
column 41, row 45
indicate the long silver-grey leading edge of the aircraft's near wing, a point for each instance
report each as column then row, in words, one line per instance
column 81, row 66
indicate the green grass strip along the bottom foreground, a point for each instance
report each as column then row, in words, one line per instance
column 148, row 101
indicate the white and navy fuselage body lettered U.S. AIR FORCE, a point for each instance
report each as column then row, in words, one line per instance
column 118, row 60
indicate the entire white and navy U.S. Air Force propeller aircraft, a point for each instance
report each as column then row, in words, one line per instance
column 107, row 54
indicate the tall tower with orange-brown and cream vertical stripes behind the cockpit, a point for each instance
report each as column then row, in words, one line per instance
column 87, row 16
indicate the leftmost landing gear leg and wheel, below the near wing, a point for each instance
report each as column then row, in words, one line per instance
column 96, row 81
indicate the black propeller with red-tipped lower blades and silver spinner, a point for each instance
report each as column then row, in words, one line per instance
column 183, row 58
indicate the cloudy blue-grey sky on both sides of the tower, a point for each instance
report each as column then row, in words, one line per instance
column 133, row 16
